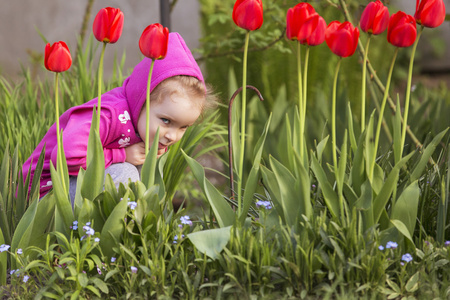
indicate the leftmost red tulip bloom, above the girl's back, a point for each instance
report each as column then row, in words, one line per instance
column 57, row 57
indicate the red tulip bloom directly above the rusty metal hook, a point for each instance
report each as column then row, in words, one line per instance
column 248, row 14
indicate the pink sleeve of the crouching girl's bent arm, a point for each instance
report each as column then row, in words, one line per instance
column 75, row 141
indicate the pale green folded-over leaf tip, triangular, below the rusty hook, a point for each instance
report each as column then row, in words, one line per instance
column 211, row 241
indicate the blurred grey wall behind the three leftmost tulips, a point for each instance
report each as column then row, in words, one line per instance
column 58, row 20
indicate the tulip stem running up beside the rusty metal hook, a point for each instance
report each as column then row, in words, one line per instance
column 243, row 111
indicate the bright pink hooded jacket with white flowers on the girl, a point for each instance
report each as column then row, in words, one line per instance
column 119, row 115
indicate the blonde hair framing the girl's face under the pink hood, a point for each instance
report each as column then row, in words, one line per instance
column 186, row 85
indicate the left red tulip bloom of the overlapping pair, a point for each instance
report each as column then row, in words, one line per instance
column 301, row 20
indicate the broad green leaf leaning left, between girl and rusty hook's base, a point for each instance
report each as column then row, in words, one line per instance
column 222, row 210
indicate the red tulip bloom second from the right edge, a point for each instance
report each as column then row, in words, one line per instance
column 402, row 30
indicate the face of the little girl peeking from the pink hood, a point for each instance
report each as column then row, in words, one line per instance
column 173, row 115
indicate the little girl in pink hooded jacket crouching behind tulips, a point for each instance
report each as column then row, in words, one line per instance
column 178, row 97
